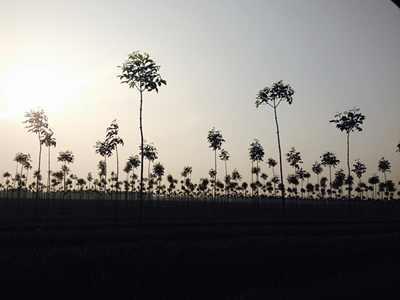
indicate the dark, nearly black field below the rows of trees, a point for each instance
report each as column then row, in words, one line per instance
column 197, row 250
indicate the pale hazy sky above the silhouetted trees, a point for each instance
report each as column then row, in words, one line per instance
column 215, row 56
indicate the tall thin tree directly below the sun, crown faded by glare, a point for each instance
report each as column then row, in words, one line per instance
column 37, row 123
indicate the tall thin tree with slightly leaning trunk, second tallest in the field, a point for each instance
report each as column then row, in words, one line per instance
column 273, row 97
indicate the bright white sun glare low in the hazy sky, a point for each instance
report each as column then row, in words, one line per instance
column 38, row 87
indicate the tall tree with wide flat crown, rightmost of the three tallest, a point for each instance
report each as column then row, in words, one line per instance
column 348, row 122
